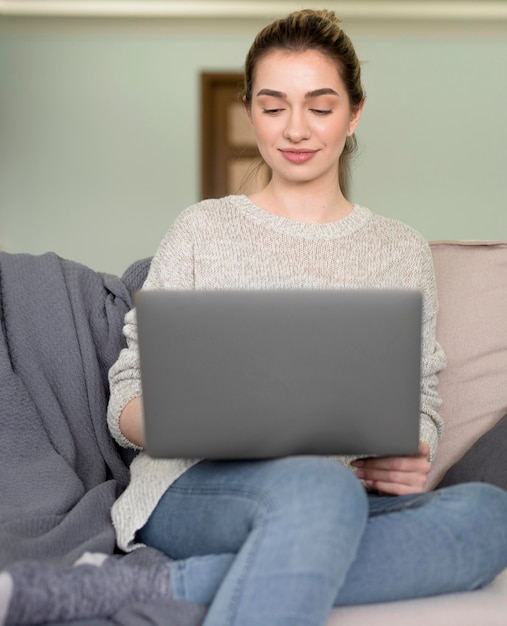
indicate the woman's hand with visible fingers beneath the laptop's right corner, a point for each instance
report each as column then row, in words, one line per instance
column 395, row 475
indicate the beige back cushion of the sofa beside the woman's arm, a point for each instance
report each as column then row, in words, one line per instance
column 472, row 328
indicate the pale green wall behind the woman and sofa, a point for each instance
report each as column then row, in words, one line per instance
column 99, row 130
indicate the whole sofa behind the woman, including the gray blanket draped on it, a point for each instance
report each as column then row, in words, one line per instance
column 60, row 331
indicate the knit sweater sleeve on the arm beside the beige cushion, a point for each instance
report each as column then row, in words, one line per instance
column 432, row 359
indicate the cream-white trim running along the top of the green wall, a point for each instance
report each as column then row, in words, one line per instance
column 250, row 9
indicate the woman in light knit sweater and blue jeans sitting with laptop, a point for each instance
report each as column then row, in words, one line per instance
column 282, row 541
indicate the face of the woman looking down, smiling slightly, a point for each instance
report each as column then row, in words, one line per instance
column 301, row 115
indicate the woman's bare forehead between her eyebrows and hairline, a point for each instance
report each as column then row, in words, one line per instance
column 289, row 71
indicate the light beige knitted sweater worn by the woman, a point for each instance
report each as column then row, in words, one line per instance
column 232, row 243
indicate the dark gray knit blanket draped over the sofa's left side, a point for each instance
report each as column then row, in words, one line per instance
column 60, row 470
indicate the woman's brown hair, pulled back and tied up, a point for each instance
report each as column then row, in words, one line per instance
column 312, row 30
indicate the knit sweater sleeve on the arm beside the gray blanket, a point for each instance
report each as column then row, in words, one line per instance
column 172, row 267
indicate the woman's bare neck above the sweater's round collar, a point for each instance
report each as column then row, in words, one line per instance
column 302, row 203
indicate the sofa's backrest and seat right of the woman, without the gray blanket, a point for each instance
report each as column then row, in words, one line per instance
column 472, row 328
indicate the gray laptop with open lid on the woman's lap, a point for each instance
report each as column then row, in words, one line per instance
column 259, row 374
